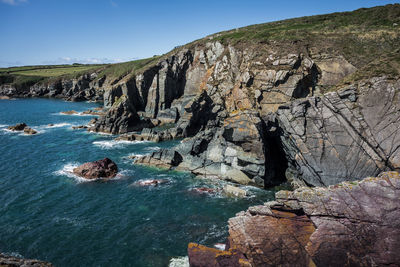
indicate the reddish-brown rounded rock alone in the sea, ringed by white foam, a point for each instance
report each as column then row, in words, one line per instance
column 104, row 168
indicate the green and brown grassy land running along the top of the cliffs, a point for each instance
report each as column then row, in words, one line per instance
column 368, row 38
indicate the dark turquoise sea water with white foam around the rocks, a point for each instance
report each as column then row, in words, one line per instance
column 49, row 214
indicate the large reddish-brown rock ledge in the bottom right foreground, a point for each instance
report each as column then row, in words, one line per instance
column 349, row 224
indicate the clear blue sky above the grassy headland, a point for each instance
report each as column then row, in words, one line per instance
column 37, row 32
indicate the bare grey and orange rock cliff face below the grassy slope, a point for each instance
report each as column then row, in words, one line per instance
column 241, row 120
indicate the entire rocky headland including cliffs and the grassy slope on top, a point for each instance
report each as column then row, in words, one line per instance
column 311, row 100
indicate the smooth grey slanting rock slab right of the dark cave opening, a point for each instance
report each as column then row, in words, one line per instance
column 343, row 135
